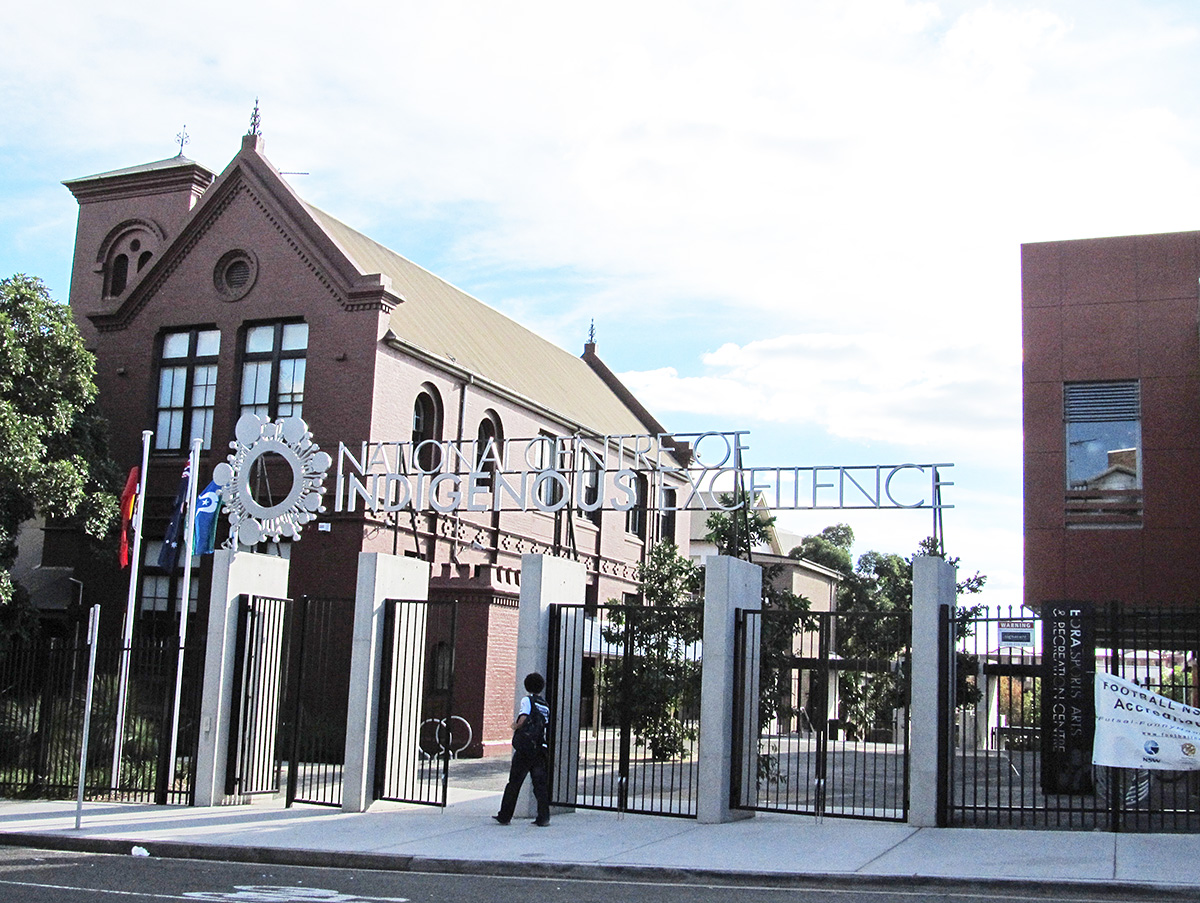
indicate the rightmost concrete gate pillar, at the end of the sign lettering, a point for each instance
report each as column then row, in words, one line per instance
column 933, row 589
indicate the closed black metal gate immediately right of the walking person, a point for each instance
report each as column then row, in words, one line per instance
column 634, row 674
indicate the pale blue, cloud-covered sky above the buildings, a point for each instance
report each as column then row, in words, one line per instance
column 799, row 219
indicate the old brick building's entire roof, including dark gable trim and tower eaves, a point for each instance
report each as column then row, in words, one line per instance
column 429, row 318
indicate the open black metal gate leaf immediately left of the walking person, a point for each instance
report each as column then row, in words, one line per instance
column 419, row 731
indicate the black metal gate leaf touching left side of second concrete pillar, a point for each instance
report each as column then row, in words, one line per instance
column 319, row 680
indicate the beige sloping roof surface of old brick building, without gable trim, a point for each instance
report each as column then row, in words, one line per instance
column 451, row 326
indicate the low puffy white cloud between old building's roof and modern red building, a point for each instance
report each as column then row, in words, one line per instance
column 950, row 399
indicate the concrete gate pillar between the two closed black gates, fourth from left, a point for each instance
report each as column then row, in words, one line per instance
column 730, row 584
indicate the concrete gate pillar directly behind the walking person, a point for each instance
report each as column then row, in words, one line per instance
column 547, row 581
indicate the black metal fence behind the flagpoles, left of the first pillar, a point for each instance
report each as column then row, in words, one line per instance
column 43, row 697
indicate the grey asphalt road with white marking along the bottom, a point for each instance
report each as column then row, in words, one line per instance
column 29, row 876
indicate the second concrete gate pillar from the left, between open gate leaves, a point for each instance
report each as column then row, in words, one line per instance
column 381, row 577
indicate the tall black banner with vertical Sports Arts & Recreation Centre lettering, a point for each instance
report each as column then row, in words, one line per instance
column 1069, row 708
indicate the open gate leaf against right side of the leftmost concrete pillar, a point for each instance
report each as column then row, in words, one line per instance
column 255, row 752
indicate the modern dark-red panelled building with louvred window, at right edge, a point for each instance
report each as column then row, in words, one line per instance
column 1112, row 414
